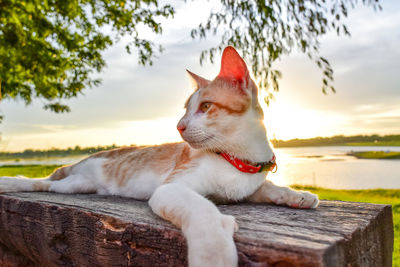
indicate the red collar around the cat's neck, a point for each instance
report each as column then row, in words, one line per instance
column 243, row 167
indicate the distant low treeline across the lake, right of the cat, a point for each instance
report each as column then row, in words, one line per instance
column 340, row 140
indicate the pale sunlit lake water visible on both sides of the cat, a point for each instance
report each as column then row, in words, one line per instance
column 327, row 167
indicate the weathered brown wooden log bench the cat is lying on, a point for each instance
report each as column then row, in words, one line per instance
column 47, row 229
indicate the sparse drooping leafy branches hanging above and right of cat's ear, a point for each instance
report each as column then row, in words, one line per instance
column 266, row 30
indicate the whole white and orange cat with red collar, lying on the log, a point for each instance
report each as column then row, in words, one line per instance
column 226, row 157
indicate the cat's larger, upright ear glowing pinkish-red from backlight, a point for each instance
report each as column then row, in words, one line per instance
column 233, row 66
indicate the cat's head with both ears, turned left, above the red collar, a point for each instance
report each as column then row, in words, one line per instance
column 224, row 114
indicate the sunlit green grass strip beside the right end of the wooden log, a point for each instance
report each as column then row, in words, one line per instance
column 377, row 196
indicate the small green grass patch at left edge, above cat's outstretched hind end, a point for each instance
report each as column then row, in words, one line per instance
column 31, row 171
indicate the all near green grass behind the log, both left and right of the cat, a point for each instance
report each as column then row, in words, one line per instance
column 379, row 196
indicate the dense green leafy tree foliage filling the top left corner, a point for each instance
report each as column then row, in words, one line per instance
column 49, row 48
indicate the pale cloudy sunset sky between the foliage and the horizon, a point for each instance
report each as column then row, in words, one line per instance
column 142, row 105
